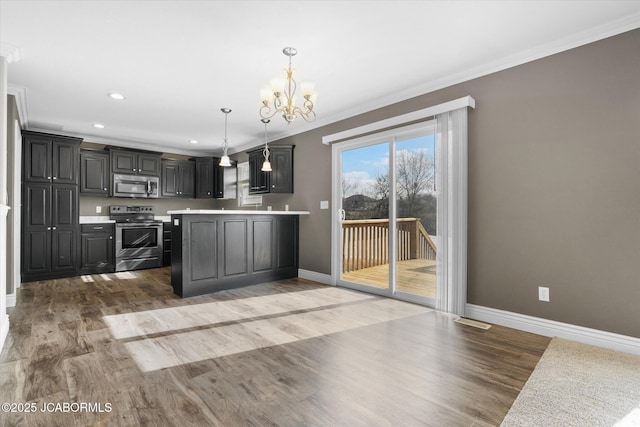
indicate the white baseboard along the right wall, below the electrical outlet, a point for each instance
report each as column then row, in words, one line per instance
column 551, row 328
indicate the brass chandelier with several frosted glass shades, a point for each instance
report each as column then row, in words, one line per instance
column 280, row 98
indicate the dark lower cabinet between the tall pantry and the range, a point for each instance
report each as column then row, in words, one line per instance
column 96, row 248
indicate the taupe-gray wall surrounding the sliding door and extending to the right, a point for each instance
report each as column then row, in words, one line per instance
column 554, row 185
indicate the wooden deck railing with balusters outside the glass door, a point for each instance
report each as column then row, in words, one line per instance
column 365, row 242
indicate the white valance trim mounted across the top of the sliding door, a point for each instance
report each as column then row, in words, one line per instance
column 455, row 104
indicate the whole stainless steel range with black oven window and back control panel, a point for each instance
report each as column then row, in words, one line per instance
column 138, row 237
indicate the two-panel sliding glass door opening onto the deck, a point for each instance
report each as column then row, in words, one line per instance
column 388, row 213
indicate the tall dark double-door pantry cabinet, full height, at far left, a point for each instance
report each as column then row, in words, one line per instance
column 50, row 204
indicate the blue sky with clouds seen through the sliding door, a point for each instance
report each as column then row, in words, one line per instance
column 361, row 165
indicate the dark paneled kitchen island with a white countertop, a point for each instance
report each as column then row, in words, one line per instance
column 214, row 250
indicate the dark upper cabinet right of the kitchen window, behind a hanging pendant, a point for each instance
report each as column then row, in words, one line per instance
column 280, row 179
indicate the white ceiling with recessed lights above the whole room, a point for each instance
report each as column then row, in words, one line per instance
column 179, row 62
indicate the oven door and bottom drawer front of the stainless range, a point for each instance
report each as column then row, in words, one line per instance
column 138, row 245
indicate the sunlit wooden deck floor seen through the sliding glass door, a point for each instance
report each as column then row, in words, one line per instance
column 415, row 276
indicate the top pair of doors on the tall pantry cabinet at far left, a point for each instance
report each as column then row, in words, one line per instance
column 50, row 158
